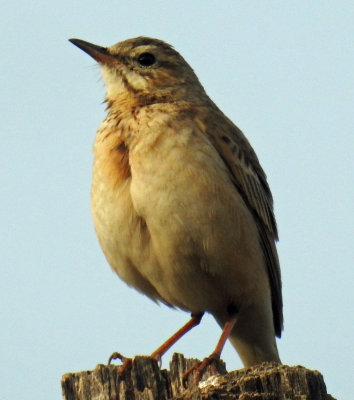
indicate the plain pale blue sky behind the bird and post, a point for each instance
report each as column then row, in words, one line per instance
column 281, row 70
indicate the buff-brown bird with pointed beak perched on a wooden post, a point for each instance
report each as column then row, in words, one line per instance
column 180, row 203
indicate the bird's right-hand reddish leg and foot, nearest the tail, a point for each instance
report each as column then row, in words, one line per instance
column 200, row 367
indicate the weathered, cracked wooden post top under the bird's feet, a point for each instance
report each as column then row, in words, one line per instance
column 146, row 381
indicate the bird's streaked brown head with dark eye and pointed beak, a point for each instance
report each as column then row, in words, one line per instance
column 145, row 71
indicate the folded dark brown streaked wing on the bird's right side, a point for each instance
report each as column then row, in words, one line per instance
column 250, row 180
